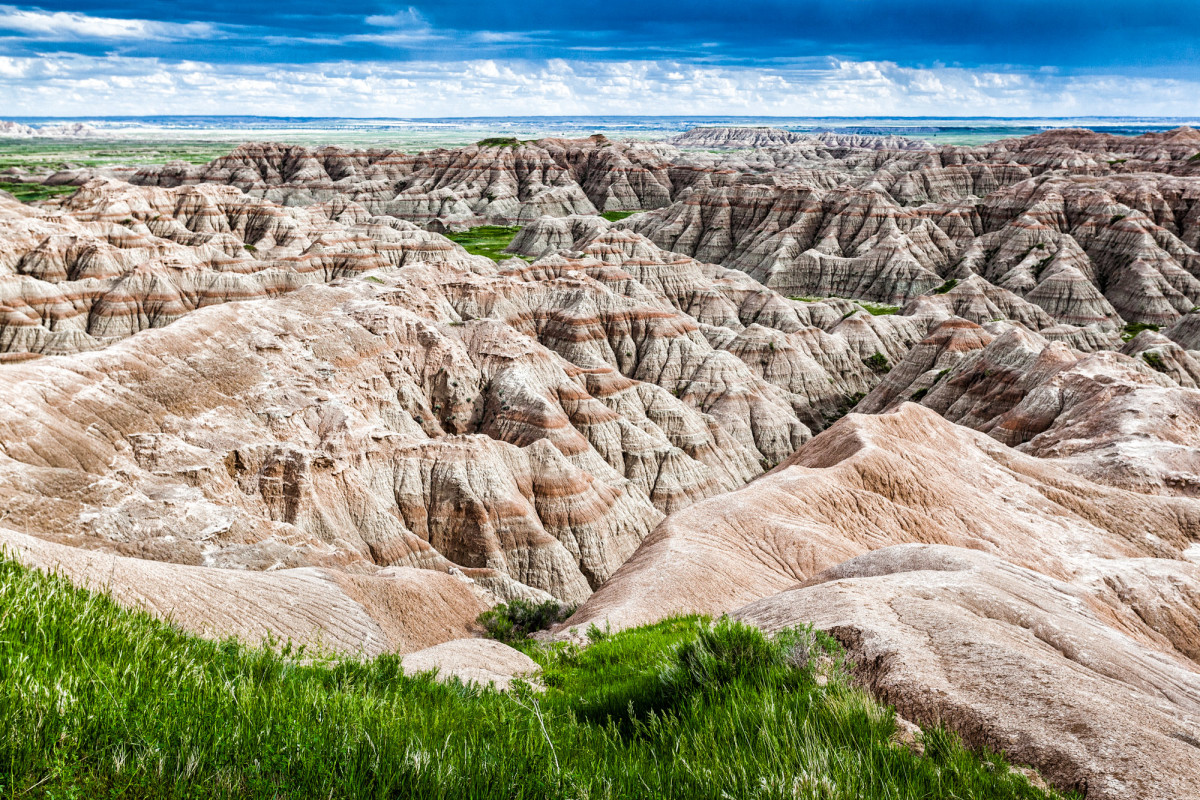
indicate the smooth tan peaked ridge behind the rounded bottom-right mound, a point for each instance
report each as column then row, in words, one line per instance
column 875, row 482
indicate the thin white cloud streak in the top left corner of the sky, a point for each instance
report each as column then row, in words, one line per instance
column 65, row 26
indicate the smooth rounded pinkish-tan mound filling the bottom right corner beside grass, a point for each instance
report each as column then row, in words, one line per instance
column 1069, row 678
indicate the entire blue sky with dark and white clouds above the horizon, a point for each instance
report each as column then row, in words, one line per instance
column 459, row 58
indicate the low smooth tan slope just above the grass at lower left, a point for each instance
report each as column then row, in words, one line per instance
column 395, row 611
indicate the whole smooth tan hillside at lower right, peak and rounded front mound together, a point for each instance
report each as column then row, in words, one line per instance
column 1023, row 605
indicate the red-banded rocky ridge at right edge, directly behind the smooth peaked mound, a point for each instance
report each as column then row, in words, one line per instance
column 1127, row 422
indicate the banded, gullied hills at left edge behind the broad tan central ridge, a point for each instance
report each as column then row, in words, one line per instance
column 116, row 260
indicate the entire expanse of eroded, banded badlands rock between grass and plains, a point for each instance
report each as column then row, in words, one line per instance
column 267, row 394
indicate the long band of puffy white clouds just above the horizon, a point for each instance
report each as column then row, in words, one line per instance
column 70, row 85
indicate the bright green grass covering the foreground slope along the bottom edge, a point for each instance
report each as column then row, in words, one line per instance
column 101, row 702
